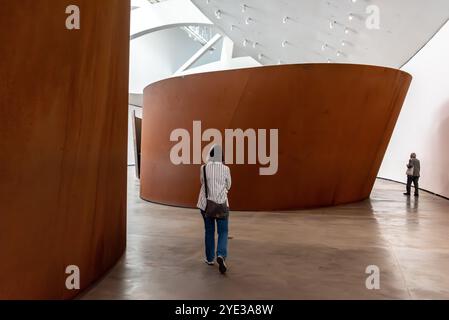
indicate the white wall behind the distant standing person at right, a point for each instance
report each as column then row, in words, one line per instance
column 423, row 125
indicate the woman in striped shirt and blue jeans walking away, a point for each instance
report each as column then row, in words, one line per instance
column 218, row 177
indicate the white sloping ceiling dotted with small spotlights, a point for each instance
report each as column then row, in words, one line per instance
column 307, row 36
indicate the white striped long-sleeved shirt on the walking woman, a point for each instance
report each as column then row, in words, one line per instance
column 218, row 184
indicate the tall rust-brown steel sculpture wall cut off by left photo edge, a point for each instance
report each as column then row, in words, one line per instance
column 63, row 144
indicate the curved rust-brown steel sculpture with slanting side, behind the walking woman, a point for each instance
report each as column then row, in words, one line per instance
column 334, row 122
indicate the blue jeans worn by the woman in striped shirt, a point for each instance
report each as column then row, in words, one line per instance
column 209, row 237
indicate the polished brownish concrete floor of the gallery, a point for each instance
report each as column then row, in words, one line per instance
column 310, row 254
